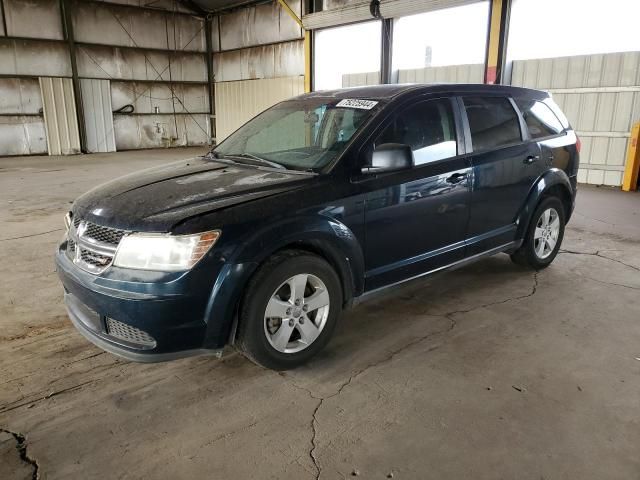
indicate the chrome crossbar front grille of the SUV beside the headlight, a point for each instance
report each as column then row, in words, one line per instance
column 91, row 246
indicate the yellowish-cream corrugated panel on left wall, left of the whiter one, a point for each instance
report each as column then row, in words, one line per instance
column 60, row 119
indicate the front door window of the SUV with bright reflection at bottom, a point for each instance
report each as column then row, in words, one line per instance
column 428, row 128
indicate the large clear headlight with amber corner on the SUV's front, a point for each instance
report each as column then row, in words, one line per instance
column 147, row 251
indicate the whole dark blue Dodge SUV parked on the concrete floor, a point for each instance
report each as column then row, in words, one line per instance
column 316, row 203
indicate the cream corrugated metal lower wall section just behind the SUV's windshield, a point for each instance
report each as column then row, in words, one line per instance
column 237, row 102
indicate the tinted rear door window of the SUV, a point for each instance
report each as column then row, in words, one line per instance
column 493, row 122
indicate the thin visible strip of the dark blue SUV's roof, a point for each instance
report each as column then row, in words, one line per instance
column 389, row 91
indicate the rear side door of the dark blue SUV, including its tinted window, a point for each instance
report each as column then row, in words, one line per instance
column 505, row 166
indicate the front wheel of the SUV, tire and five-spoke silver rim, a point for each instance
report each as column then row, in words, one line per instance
column 294, row 332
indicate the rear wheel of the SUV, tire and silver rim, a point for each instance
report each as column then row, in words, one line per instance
column 532, row 253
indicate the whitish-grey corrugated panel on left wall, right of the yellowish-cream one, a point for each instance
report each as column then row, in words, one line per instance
column 98, row 117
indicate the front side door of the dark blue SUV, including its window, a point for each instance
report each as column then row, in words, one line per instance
column 416, row 219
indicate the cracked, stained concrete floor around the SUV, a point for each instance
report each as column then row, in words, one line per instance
column 491, row 371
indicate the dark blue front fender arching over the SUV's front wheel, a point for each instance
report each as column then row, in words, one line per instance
column 321, row 233
